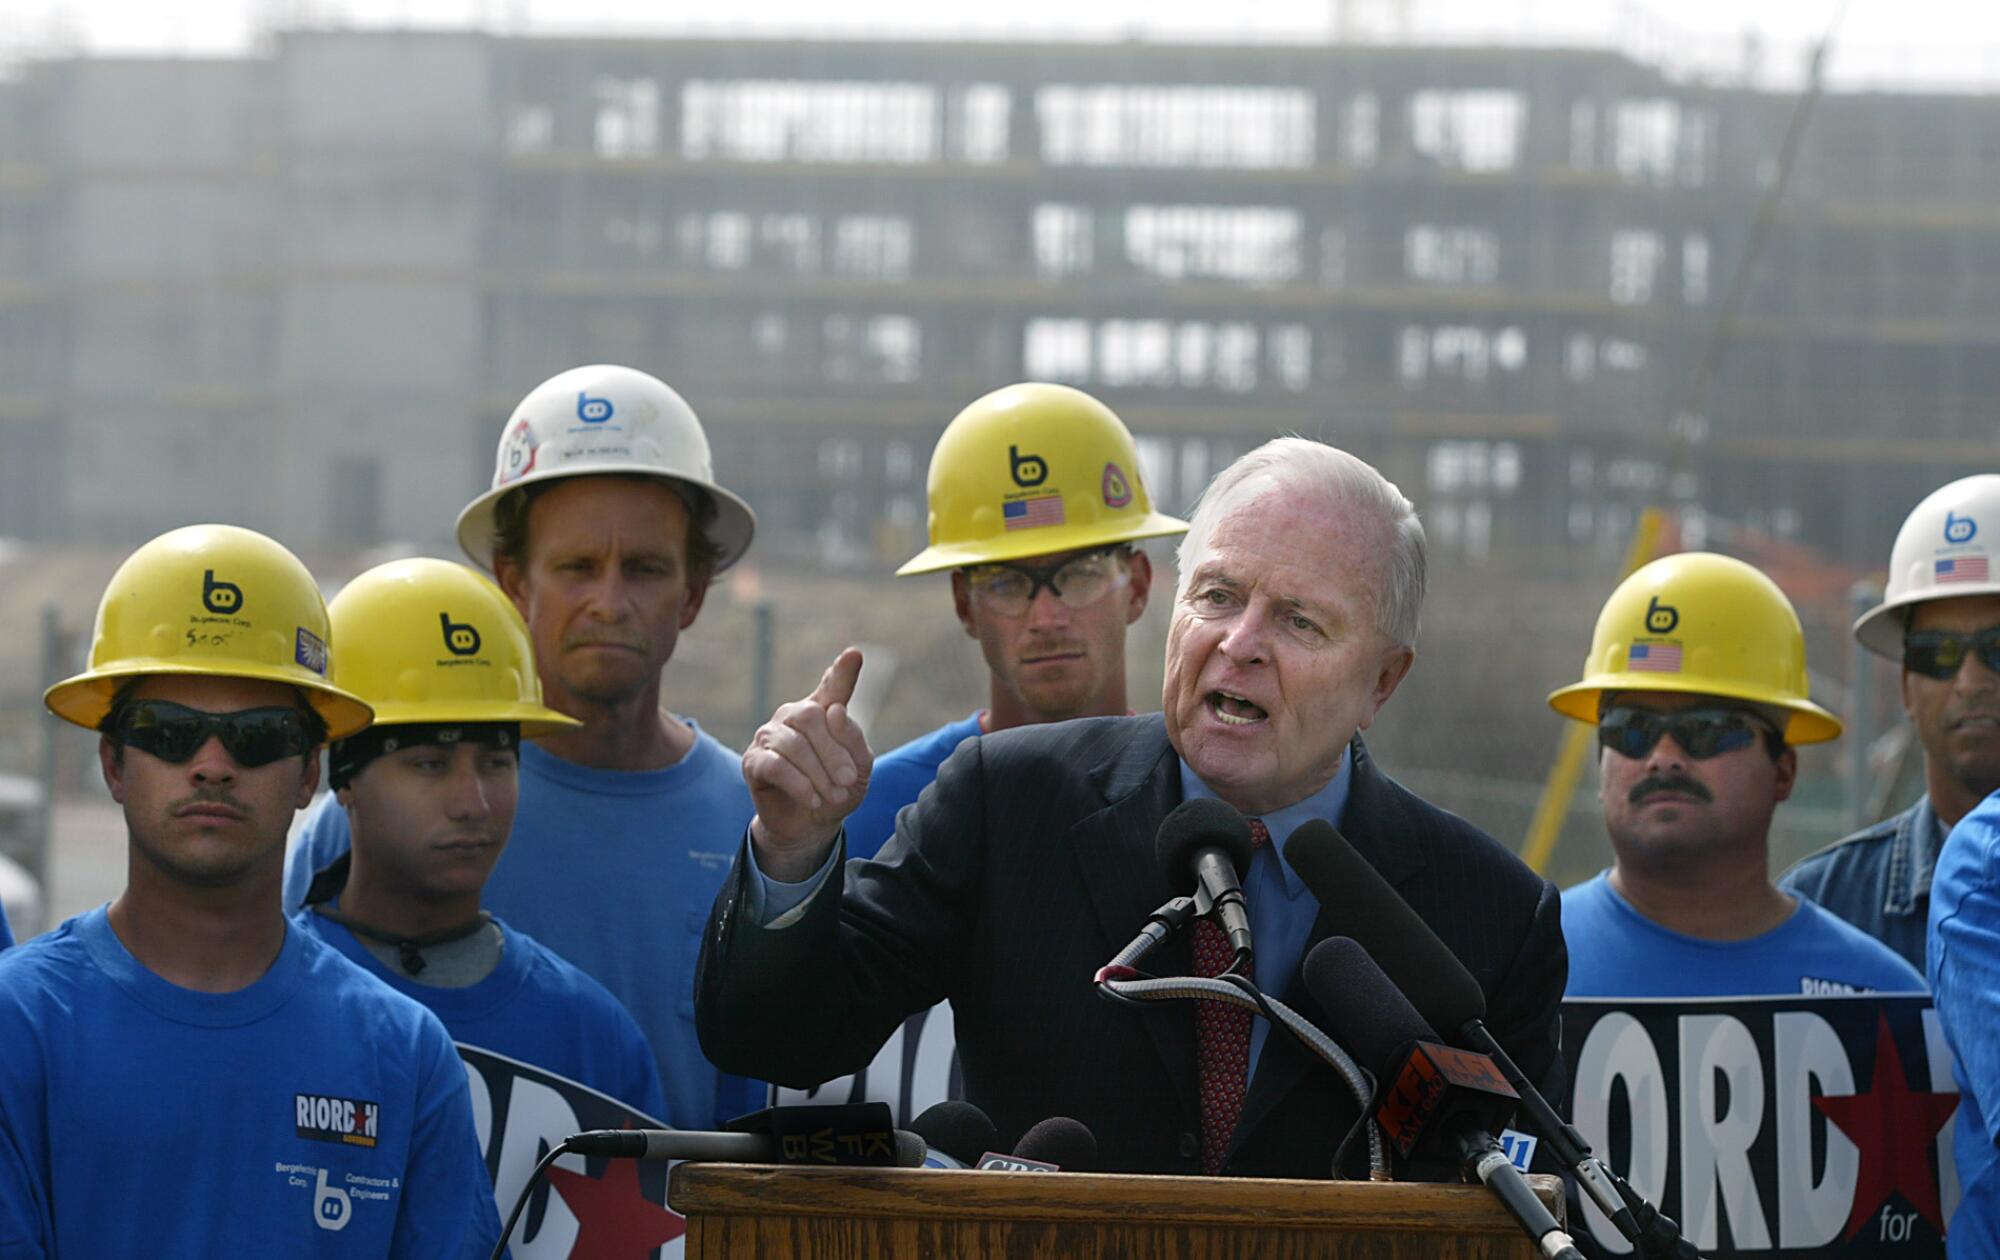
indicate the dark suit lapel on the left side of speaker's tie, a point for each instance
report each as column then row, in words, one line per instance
column 1115, row 853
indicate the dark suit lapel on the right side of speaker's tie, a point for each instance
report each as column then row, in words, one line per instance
column 1375, row 823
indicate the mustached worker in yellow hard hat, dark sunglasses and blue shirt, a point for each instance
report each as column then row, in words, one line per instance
column 1697, row 685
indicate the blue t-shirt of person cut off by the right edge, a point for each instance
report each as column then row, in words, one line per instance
column 1965, row 979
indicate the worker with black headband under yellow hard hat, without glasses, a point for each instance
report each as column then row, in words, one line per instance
column 429, row 791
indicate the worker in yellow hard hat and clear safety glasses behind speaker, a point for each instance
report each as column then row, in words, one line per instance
column 1037, row 507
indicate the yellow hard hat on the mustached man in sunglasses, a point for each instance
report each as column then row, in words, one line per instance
column 1707, row 625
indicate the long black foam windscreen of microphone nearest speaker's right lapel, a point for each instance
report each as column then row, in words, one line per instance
column 1401, row 943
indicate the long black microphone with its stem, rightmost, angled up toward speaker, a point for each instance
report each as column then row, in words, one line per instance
column 1447, row 997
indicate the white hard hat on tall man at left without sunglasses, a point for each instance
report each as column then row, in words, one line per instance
column 607, row 421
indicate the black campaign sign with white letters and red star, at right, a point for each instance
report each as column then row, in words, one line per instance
column 1771, row 1127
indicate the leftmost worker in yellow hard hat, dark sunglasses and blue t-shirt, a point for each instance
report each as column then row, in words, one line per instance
column 185, row 1075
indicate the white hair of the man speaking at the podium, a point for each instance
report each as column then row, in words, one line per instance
column 1317, row 469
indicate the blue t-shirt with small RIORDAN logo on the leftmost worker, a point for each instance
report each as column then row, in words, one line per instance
column 313, row 1113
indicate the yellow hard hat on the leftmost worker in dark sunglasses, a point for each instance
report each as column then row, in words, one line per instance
column 217, row 601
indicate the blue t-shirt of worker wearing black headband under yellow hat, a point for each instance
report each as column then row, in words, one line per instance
column 533, row 1007
